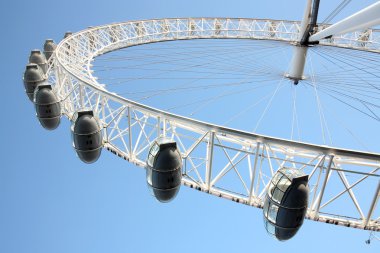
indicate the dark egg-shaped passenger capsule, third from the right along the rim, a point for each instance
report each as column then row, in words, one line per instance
column 87, row 136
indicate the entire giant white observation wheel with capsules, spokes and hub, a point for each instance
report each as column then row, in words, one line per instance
column 203, row 60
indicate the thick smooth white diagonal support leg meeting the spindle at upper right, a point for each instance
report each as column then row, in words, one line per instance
column 363, row 19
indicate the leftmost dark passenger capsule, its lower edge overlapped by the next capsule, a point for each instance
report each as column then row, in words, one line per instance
column 33, row 76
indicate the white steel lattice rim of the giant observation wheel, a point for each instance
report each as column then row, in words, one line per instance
column 211, row 154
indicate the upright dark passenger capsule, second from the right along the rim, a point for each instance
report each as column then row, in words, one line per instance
column 164, row 169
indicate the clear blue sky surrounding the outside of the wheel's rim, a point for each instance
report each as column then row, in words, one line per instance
column 52, row 202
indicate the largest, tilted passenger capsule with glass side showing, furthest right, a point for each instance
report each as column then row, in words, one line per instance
column 286, row 203
